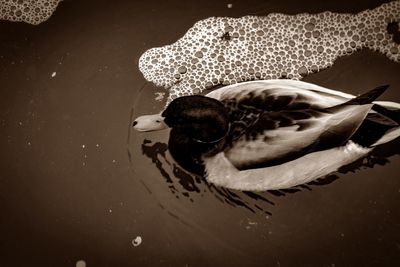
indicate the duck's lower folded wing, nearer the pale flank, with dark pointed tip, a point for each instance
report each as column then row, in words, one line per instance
column 275, row 137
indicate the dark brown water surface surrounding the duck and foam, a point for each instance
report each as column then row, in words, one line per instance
column 75, row 184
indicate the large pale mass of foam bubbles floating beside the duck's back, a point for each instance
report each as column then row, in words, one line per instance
column 222, row 50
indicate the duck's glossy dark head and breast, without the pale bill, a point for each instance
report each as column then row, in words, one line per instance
column 199, row 126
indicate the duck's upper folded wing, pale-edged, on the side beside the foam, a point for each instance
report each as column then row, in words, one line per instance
column 247, row 102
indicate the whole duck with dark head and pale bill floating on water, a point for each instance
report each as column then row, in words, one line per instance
column 273, row 134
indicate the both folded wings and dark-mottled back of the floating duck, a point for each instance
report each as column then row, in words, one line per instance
column 272, row 125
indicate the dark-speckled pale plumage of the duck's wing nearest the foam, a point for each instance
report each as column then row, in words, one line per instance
column 246, row 102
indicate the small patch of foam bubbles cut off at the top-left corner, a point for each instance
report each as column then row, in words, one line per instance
column 29, row 11
